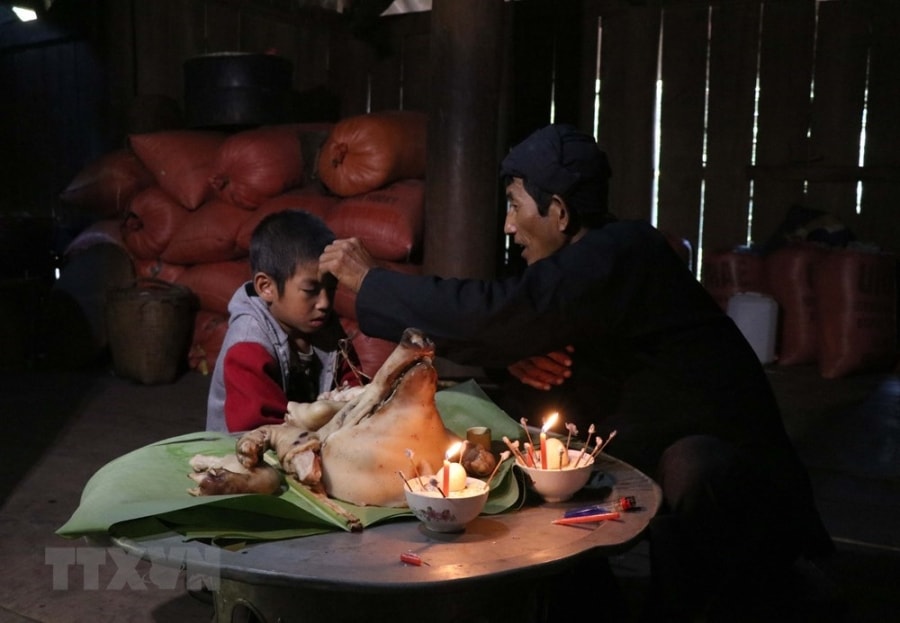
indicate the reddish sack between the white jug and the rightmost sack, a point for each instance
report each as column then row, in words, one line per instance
column 789, row 272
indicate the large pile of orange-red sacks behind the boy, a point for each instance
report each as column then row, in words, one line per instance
column 183, row 204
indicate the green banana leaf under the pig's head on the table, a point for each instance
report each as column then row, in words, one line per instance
column 144, row 492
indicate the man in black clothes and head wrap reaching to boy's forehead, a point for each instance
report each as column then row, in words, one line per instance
column 609, row 318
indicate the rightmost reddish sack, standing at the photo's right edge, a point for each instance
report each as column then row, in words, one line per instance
column 856, row 295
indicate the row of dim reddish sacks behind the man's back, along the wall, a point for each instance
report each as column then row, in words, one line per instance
column 837, row 305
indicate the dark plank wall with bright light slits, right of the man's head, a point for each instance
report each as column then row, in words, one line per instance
column 818, row 64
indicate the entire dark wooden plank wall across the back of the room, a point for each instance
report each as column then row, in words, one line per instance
column 729, row 165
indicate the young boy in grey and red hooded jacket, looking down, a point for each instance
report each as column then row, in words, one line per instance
column 283, row 341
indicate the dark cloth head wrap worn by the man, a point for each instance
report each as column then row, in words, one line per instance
column 560, row 160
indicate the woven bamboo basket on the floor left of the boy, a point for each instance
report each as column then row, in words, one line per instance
column 149, row 326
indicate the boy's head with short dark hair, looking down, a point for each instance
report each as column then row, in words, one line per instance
column 284, row 260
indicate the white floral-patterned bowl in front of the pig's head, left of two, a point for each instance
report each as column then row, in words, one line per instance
column 450, row 514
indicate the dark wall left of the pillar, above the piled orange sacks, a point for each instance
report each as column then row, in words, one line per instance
column 71, row 95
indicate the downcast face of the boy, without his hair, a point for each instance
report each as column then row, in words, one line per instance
column 305, row 305
